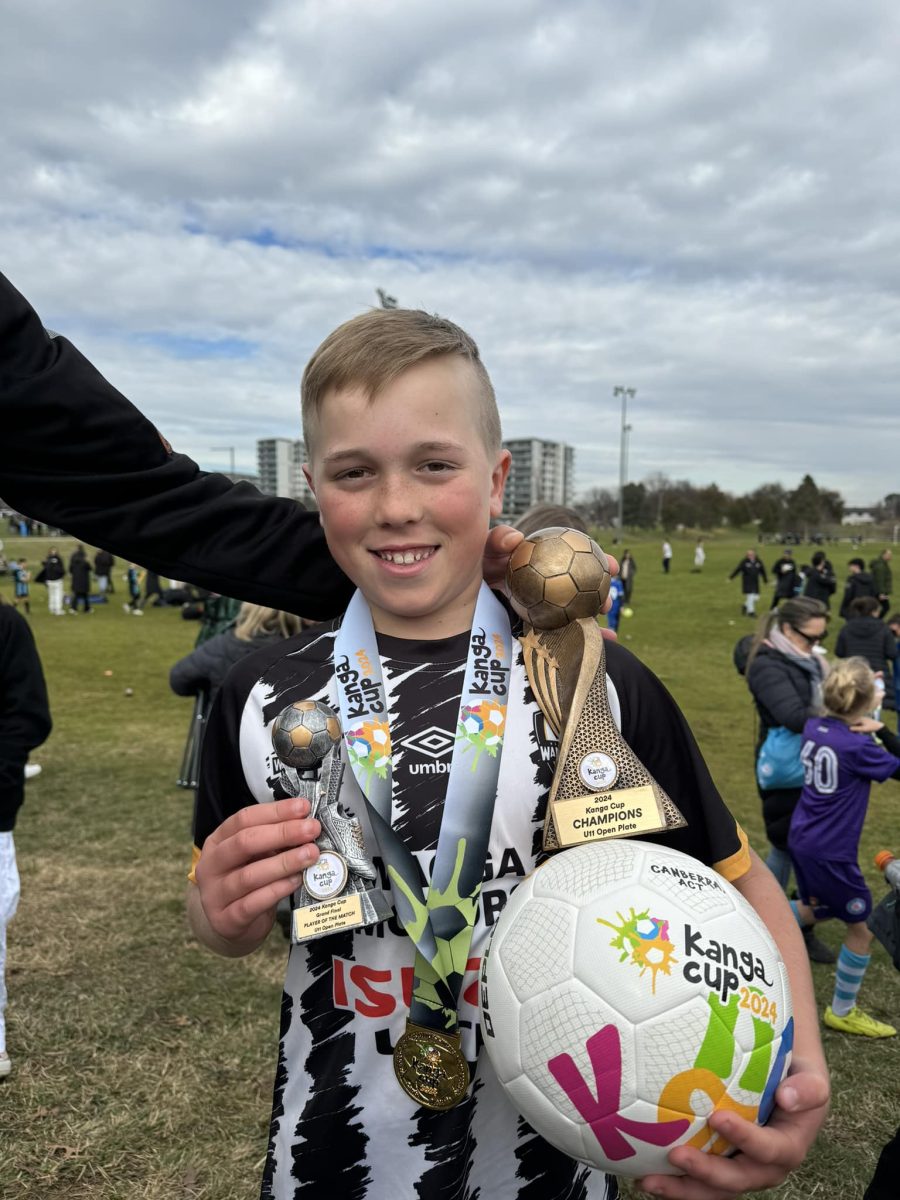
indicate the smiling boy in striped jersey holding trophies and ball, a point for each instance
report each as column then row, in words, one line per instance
column 405, row 459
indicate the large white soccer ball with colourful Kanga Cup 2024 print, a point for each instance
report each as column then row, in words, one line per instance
column 627, row 994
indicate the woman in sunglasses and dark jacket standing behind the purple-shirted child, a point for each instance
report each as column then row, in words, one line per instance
column 785, row 675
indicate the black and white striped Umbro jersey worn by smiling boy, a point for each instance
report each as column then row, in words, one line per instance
column 341, row 1126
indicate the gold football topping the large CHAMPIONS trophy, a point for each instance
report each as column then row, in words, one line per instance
column 556, row 577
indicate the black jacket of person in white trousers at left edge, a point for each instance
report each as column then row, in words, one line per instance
column 25, row 710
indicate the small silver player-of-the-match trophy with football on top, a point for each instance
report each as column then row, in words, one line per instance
column 339, row 890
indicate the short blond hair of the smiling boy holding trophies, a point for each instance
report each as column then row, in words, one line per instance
column 375, row 349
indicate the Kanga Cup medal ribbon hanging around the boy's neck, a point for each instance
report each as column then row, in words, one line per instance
column 441, row 925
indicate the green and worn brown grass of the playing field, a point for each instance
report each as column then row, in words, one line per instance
column 143, row 1065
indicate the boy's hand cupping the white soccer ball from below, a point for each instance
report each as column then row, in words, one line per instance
column 766, row 1154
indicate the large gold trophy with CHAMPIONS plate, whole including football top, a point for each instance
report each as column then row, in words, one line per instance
column 559, row 580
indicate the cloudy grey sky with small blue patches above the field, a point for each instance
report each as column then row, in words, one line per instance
column 695, row 200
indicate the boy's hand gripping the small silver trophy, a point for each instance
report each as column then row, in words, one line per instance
column 254, row 860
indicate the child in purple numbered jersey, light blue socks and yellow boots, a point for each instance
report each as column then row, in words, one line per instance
column 841, row 761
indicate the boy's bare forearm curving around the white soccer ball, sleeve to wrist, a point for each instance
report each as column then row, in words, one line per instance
column 761, row 890
